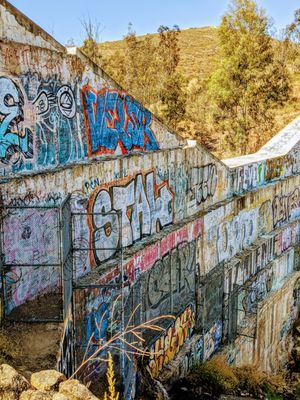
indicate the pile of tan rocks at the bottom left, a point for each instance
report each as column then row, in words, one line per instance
column 44, row 385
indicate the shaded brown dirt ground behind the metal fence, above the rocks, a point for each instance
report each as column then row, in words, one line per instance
column 32, row 346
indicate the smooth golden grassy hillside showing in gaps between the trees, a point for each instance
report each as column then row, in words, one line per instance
column 198, row 57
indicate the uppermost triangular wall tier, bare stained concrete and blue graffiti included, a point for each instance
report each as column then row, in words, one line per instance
column 55, row 111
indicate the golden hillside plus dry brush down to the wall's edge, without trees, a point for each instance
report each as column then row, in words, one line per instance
column 199, row 55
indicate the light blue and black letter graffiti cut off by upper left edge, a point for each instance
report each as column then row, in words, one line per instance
column 13, row 138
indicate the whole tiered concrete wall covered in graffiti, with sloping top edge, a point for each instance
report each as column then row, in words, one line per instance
column 213, row 243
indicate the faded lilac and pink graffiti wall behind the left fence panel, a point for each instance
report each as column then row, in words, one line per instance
column 31, row 239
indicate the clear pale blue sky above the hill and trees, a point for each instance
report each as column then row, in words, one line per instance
column 62, row 18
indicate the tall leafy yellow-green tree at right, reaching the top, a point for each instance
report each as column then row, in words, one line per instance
column 249, row 82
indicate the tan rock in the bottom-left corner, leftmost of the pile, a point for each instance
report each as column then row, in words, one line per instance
column 11, row 382
